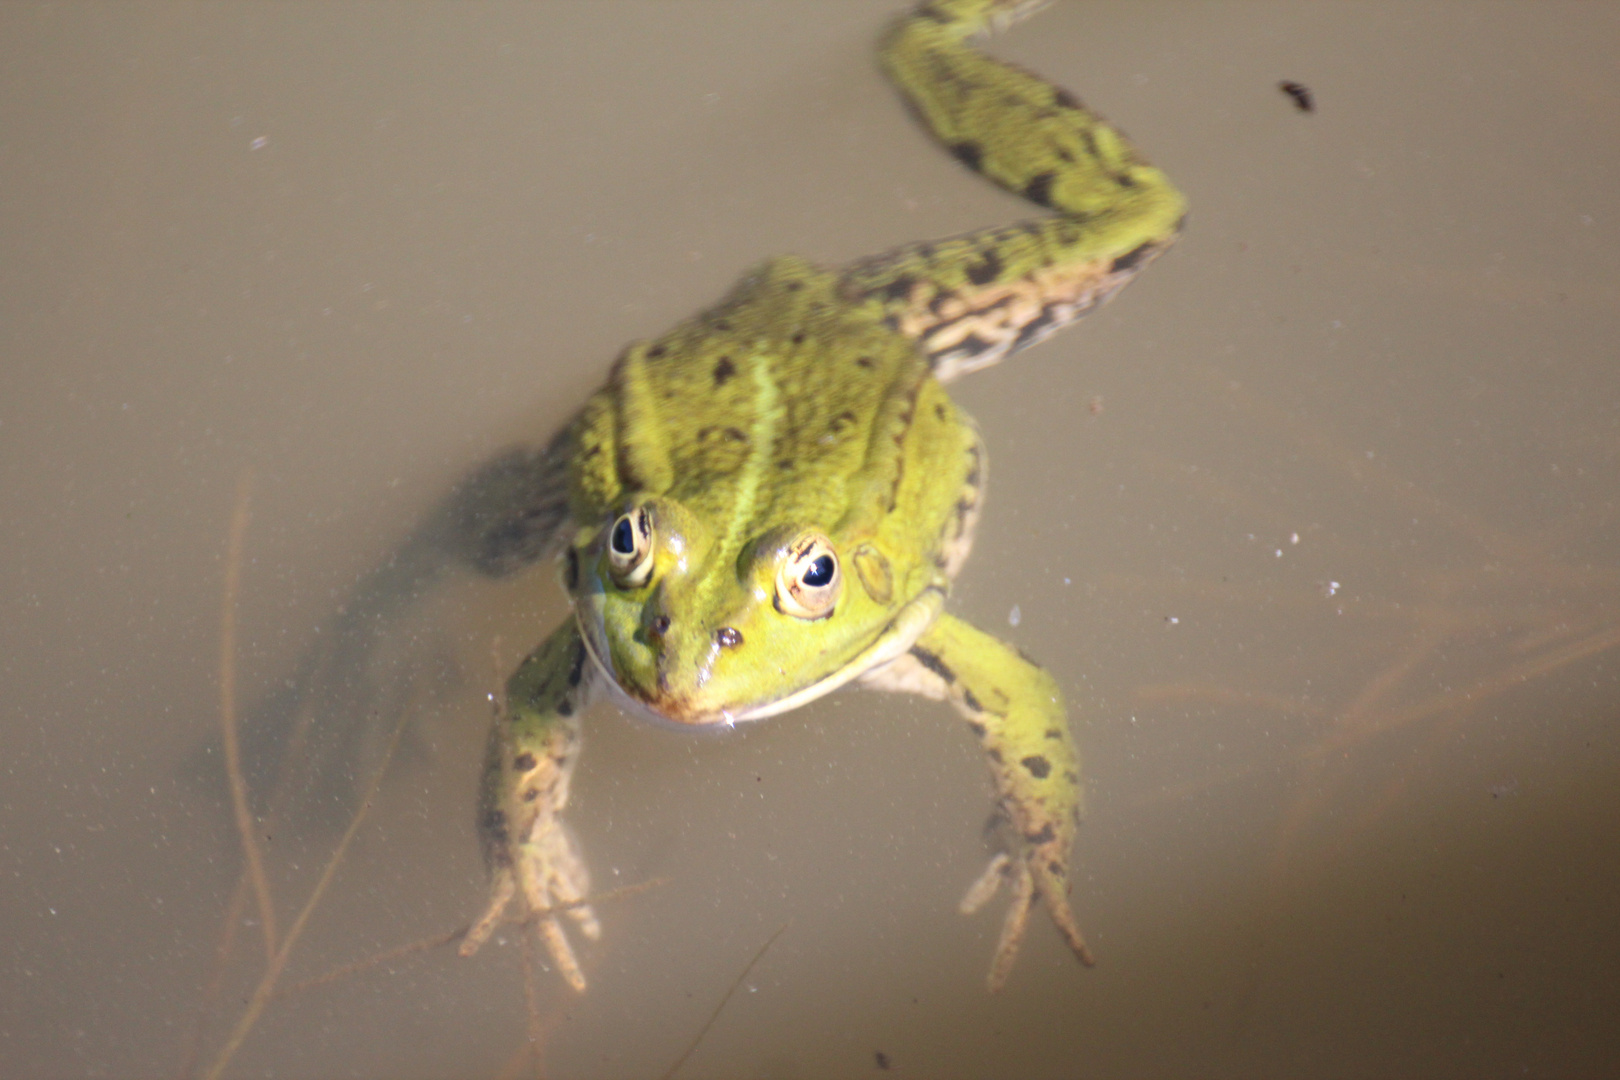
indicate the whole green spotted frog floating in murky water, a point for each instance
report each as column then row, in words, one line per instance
column 772, row 500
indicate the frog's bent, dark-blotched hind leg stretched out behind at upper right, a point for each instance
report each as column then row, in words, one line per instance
column 974, row 300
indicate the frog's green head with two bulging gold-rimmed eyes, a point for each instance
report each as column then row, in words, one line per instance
column 704, row 632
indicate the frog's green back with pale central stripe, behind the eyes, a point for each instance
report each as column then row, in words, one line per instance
column 782, row 404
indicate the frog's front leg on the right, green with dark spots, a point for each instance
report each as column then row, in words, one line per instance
column 1017, row 712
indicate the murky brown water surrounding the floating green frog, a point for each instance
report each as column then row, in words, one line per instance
column 1332, row 579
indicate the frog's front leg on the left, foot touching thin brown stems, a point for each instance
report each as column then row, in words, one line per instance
column 532, row 752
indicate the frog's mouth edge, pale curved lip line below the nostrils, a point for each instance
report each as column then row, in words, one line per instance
column 699, row 710
